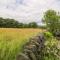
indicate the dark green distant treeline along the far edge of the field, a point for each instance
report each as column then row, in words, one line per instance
column 11, row 23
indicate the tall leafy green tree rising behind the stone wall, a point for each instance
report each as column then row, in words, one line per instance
column 52, row 20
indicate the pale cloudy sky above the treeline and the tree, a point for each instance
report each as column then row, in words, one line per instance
column 27, row 10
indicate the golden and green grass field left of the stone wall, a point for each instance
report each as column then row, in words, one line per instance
column 12, row 41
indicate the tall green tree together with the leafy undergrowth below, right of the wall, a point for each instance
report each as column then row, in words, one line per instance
column 52, row 20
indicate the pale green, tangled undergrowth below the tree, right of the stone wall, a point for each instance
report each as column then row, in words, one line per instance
column 51, row 51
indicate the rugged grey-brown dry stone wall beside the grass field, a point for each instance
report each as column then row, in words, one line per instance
column 34, row 49
